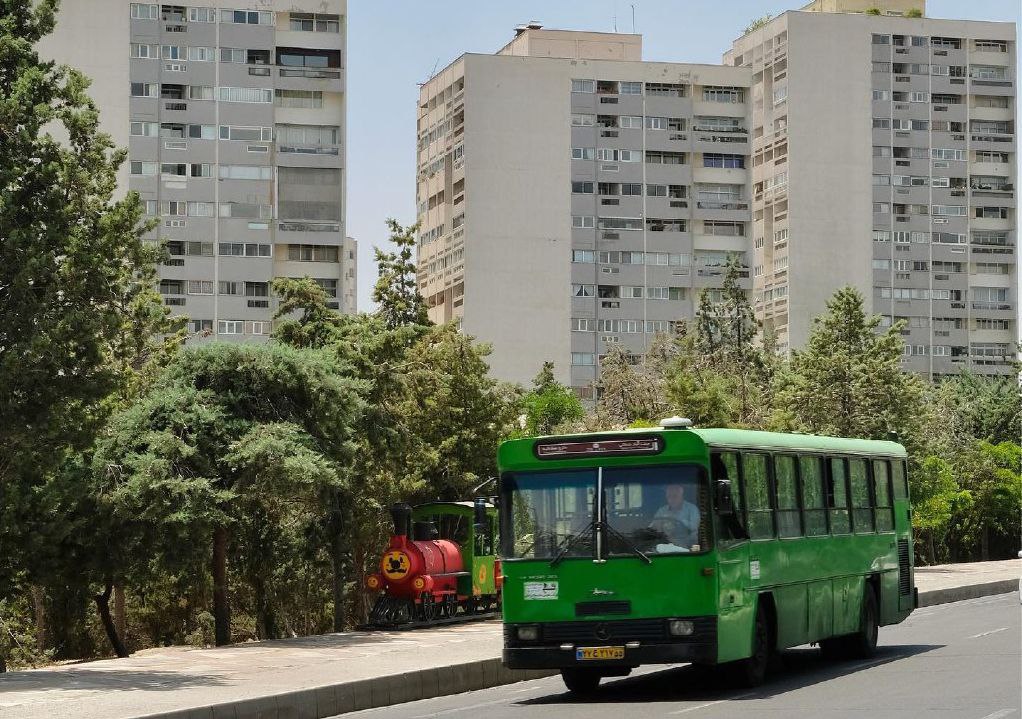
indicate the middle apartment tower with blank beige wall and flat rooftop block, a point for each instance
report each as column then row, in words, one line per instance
column 593, row 213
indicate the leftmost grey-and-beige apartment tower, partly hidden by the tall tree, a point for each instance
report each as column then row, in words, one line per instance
column 235, row 118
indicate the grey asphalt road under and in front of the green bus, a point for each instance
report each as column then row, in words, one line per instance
column 949, row 661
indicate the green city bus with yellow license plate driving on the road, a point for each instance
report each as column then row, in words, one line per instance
column 715, row 547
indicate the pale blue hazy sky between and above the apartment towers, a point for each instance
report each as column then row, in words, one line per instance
column 396, row 44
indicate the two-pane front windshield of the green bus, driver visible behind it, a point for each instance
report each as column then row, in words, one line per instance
column 654, row 510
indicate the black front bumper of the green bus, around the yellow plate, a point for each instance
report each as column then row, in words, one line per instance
column 558, row 658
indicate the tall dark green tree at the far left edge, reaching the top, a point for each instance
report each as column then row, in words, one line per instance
column 77, row 306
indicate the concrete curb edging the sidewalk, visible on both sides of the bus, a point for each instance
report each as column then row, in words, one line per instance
column 386, row 691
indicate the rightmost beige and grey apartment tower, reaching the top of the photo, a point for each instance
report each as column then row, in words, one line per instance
column 885, row 157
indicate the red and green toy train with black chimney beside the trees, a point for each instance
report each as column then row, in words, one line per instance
column 441, row 565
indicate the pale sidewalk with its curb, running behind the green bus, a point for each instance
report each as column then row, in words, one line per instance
column 320, row 677
